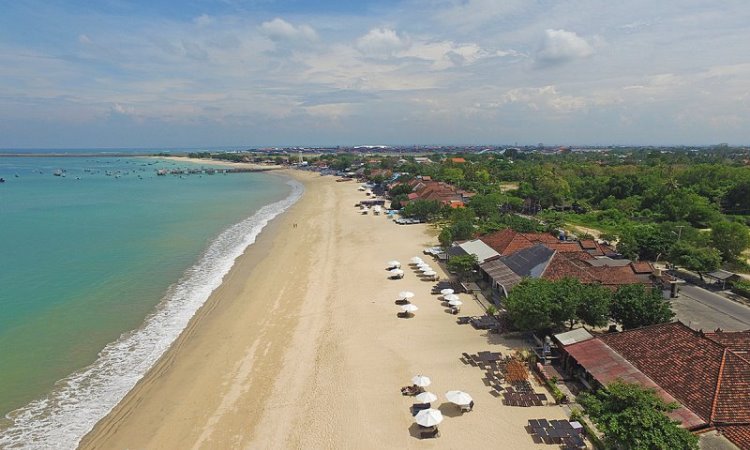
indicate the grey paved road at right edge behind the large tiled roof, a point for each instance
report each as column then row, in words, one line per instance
column 700, row 308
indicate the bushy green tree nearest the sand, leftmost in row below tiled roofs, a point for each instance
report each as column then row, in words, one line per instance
column 530, row 304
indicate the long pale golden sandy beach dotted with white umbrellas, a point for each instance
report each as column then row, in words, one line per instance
column 301, row 347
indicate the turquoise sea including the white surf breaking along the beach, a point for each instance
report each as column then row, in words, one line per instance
column 101, row 268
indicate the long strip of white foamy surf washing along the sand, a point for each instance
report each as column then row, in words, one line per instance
column 79, row 401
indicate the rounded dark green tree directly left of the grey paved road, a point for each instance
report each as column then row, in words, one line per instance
column 635, row 306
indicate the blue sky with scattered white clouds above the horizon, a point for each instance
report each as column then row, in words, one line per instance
column 193, row 73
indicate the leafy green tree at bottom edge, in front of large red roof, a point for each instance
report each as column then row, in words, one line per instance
column 632, row 417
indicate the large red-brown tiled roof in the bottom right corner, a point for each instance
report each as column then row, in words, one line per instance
column 706, row 373
